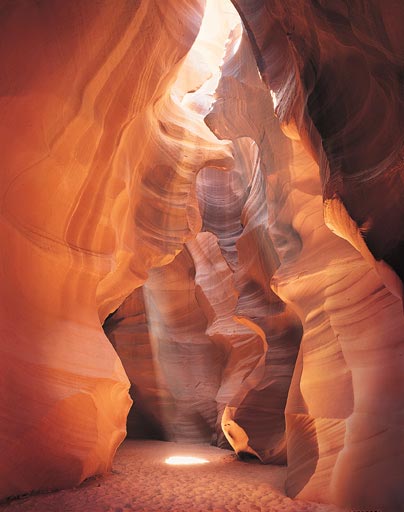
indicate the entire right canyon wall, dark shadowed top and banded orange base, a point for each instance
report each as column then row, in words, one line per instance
column 334, row 71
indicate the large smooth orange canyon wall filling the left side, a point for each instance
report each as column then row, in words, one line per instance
column 87, row 166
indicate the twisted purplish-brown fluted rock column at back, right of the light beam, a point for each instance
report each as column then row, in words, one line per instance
column 259, row 334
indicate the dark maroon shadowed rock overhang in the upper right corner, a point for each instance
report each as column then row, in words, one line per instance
column 336, row 71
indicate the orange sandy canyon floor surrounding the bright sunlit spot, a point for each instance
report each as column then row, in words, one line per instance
column 141, row 480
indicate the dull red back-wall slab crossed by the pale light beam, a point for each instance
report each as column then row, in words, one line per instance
column 190, row 364
